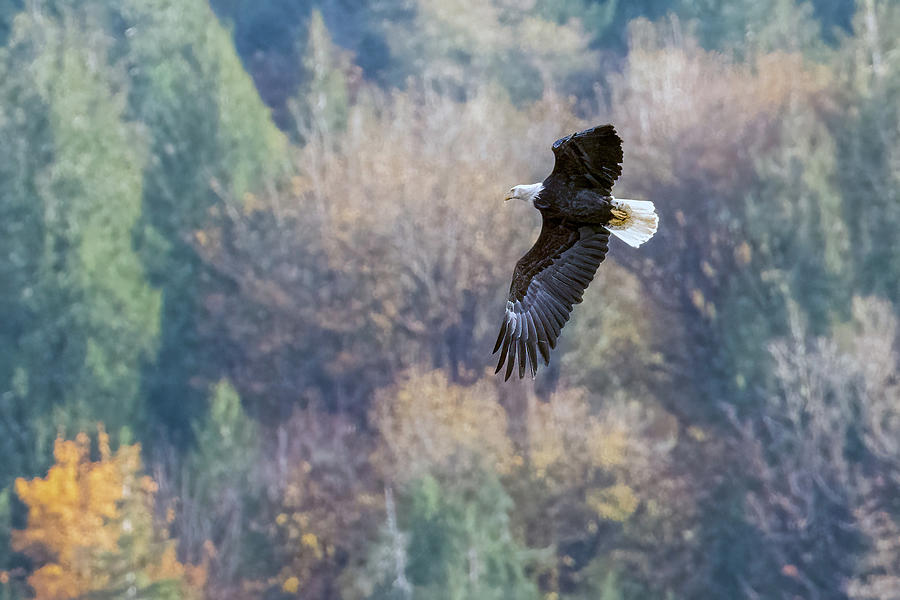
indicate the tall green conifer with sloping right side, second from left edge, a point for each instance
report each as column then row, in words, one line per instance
column 210, row 142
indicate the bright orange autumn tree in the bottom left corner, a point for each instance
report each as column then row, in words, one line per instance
column 87, row 515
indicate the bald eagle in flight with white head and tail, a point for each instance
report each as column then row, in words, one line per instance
column 578, row 212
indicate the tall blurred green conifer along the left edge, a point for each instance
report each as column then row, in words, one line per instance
column 84, row 319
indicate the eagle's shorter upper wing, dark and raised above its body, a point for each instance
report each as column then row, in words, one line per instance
column 589, row 159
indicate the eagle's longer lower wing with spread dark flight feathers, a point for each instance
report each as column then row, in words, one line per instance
column 547, row 282
